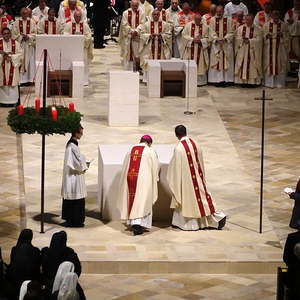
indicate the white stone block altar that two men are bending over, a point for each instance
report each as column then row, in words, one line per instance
column 110, row 163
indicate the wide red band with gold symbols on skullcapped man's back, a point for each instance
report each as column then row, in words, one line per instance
column 133, row 173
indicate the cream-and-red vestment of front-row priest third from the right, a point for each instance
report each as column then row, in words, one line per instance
column 221, row 53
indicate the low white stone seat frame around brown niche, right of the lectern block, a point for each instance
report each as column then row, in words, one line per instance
column 154, row 75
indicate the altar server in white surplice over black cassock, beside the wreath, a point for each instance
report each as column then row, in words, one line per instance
column 73, row 183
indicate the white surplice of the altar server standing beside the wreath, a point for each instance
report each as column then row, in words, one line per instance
column 73, row 182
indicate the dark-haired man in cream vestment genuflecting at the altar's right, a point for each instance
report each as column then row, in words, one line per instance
column 193, row 206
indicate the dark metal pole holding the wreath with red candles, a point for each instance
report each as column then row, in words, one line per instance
column 43, row 144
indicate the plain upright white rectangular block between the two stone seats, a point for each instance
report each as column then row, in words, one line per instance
column 124, row 95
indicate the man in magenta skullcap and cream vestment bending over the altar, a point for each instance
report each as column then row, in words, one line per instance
column 138, row 189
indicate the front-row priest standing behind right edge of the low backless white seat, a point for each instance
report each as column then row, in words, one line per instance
column 196, row 44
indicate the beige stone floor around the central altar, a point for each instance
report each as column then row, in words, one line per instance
column 227, row 123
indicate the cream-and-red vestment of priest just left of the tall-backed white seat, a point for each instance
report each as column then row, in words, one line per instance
column 27, row 27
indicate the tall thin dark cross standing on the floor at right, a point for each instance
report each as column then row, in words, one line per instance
column 263, row 99
